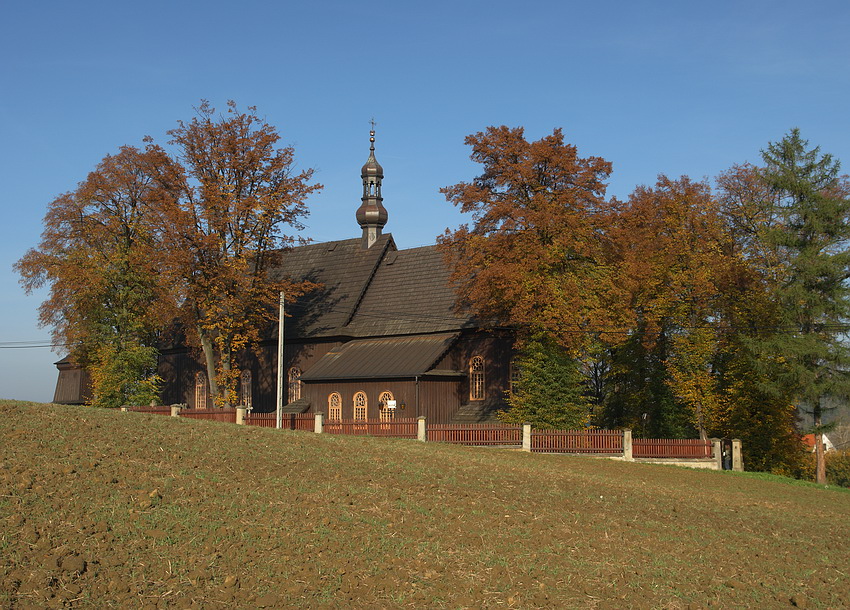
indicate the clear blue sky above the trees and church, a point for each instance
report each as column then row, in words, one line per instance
column 653, row 86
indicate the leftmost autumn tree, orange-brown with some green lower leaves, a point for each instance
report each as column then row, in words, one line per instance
column 97, row 257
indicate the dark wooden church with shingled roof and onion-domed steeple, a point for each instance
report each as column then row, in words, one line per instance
column 380, row 338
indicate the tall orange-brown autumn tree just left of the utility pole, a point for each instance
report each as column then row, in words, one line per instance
column 223, row 232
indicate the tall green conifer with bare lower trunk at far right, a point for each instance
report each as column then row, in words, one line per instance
column 807, row 356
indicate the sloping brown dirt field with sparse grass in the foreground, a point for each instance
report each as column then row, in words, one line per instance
column 124, row 510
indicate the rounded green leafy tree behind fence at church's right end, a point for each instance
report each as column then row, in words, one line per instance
column 550, row 391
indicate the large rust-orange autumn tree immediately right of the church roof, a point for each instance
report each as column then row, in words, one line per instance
column 534, row 255
